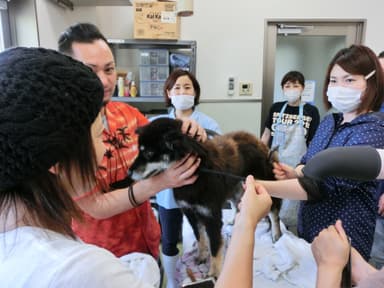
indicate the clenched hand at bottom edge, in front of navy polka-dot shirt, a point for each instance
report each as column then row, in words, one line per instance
column 331, row 251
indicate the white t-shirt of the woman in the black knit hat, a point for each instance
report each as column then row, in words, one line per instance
column 35, row 257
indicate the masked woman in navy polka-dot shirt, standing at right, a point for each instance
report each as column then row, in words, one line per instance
column 354, row 85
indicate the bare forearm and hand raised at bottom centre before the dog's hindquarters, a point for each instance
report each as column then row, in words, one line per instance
column 238, row 264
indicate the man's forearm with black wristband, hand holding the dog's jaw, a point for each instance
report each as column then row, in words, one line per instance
column 105, row 205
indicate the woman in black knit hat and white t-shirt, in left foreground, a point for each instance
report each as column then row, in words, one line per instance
column 50, row 146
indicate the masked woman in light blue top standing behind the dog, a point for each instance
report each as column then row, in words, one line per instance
column 182, row 94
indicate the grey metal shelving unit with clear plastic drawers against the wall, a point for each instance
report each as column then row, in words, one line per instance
column 129, row 58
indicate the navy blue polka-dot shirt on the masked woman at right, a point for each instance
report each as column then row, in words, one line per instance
column 349, row 200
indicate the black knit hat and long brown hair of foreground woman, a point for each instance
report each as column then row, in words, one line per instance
column 48, row 104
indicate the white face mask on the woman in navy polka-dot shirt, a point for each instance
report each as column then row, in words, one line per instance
column 344, row 99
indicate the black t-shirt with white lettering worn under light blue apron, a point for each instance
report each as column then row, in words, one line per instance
column 311, row 118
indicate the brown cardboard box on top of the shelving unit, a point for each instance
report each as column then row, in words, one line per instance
column 155, row 20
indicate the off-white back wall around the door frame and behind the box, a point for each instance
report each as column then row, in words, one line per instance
column 230, row 41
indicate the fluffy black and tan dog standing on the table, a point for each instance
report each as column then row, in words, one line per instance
column 222, row 159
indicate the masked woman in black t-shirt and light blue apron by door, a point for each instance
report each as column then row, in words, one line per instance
column 289, row 128
